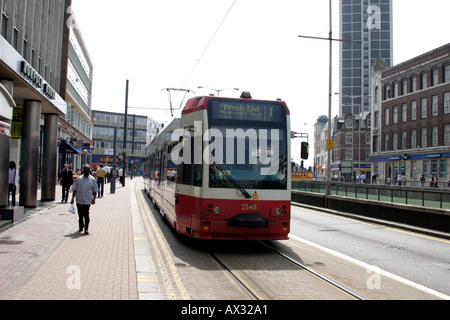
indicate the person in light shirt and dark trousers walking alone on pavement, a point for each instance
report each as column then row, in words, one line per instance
column 85, row 190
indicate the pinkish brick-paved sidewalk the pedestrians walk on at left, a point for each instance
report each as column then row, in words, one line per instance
column 45, row 257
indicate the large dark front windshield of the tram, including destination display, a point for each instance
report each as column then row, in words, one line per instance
column 248, row 144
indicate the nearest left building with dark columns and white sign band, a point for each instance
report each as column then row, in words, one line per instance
column 33, row 47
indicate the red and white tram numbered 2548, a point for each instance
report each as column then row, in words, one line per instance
column 223, row 170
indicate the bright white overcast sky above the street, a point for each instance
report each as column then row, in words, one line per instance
column 252, row 45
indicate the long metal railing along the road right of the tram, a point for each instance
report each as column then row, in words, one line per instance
column 415, row 196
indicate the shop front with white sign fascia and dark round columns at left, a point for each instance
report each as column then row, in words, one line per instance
column 32, row 118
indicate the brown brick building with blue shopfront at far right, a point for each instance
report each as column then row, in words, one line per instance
column 412, row 123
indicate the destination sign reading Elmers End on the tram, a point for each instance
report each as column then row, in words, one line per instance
column 243, row 110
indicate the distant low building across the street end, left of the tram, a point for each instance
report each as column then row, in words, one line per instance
column 108, row 137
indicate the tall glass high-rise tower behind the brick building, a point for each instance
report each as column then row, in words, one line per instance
column 366, row 30
